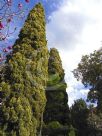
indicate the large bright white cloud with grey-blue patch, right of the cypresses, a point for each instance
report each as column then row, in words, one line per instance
column 75, row 29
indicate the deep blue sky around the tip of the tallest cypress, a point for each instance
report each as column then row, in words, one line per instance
column 49, row 6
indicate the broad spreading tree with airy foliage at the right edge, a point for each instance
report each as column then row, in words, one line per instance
column 89, row 71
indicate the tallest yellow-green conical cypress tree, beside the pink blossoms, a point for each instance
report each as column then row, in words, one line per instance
column 22, row 88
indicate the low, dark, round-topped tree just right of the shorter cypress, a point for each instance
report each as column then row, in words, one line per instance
column 79, row 114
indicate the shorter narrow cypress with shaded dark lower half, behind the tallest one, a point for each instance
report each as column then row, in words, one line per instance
column 56, row 115
